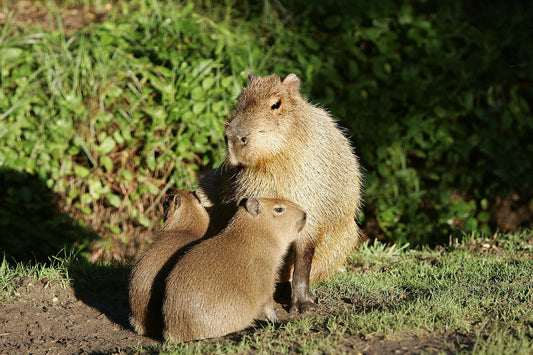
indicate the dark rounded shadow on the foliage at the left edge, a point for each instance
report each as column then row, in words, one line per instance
column 33, row 227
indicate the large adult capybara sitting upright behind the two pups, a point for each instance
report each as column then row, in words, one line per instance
column 281, row 146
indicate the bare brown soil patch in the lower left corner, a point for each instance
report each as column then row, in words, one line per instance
column 48, row 319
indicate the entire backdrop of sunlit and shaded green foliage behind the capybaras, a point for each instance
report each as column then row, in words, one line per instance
column 102, row 111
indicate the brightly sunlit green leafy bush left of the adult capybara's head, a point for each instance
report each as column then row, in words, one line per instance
column 113, row 116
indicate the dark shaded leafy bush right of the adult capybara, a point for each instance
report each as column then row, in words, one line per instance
column 436, row 98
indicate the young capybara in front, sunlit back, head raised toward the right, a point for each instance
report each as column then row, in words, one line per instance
column 225, row 282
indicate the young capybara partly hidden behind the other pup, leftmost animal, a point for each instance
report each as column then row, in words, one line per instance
column 186, row 221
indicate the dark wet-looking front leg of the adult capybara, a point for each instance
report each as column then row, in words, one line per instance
column 301, row 298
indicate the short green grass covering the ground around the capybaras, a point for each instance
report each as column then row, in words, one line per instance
column 480, row 289
